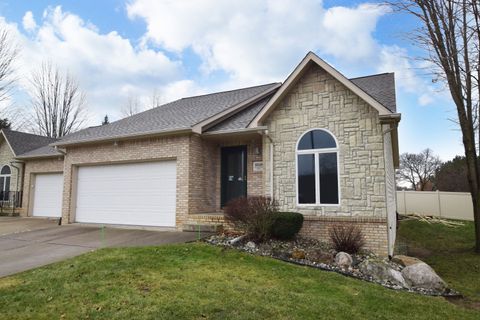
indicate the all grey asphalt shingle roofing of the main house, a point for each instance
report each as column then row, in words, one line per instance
column 184, row 113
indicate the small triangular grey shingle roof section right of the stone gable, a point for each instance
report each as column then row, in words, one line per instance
column 380, row 87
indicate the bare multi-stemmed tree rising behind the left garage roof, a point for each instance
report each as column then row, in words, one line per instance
column 57, row 101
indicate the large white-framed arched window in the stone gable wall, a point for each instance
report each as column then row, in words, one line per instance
column 317, row 169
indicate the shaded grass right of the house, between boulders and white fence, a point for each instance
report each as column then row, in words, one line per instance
column 449, row 250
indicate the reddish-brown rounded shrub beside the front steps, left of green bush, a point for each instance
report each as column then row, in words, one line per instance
column 254, row 215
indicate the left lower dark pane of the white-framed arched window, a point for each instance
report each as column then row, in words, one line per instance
column 306, row 178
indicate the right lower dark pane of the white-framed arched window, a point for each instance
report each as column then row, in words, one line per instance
column 328, row 178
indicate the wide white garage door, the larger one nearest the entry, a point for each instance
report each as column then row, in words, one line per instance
column 142, row 194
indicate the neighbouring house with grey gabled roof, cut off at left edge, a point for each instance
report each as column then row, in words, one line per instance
column 12, row 144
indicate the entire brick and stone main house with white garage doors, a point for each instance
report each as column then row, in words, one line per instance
column 319, row 143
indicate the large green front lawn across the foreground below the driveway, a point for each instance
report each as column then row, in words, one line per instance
column 197, row 281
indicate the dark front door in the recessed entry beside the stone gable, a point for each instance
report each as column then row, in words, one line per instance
column 234, row 173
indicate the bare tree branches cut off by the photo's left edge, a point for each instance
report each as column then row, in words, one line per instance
column 8, row 53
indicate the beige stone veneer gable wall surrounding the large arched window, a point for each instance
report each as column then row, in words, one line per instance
column 320, row 101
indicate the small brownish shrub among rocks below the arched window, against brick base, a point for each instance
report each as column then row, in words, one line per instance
column 347, row 238
